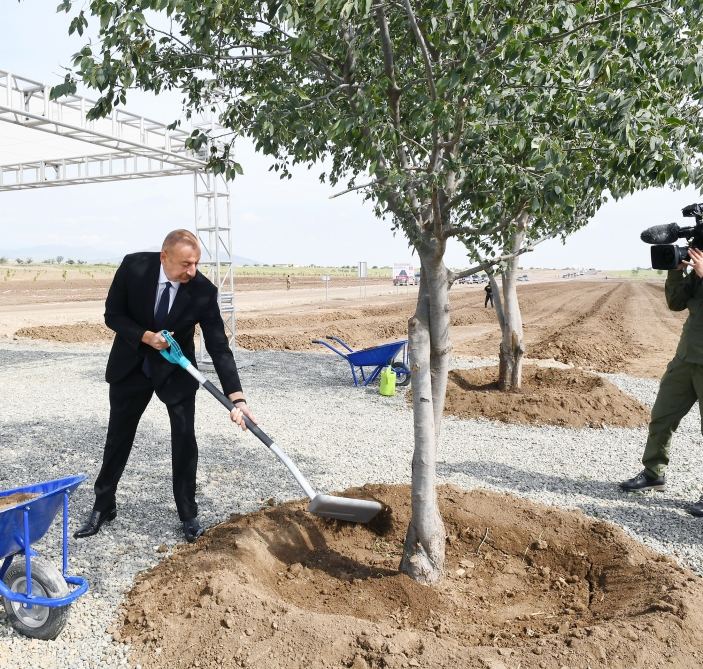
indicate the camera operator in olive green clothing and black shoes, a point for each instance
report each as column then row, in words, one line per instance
column 682, row 383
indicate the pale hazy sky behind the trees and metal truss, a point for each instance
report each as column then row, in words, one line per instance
column 273, row 221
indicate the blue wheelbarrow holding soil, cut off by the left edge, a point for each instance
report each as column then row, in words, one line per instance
column 35, row 593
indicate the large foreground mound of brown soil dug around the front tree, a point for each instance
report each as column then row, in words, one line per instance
column 526, row 585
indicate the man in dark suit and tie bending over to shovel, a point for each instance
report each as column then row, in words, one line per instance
column 149, row 293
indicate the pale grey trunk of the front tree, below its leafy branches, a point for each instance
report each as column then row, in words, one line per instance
column 429, row 349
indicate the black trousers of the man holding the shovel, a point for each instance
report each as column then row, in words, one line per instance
column 128, row 400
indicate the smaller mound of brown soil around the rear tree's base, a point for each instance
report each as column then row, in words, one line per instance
column 549, row 396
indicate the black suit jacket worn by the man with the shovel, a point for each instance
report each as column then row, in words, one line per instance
column 129, row 311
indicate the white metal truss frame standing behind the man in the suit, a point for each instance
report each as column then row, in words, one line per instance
column 122, row 147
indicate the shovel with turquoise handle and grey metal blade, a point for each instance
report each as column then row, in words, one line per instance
column 328, row 506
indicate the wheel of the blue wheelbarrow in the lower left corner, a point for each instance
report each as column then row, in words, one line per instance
column 39, row 622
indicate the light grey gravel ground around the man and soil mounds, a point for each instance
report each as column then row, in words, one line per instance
column 53, row 416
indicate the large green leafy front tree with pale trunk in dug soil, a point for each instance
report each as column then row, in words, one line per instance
column 441, row 114
